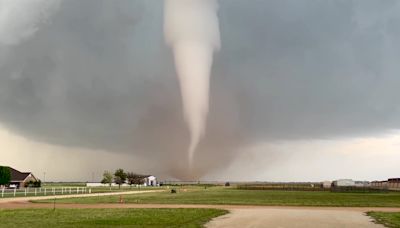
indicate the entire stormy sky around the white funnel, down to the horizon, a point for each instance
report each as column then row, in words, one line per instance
column 300, row 90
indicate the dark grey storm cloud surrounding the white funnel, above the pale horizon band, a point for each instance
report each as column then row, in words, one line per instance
column 99, row 75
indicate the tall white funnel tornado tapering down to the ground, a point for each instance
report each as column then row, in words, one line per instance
column 191, row 29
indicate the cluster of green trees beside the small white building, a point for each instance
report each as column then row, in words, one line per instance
column 121, row 177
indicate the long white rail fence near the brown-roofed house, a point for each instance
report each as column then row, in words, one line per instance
column 43, row 191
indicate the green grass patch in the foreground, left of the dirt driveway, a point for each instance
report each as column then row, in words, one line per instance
column 107, row 217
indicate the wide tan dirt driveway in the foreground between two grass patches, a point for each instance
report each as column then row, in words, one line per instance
column 299, row 218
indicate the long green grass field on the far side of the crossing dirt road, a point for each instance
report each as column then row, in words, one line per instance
column 220, row 195
